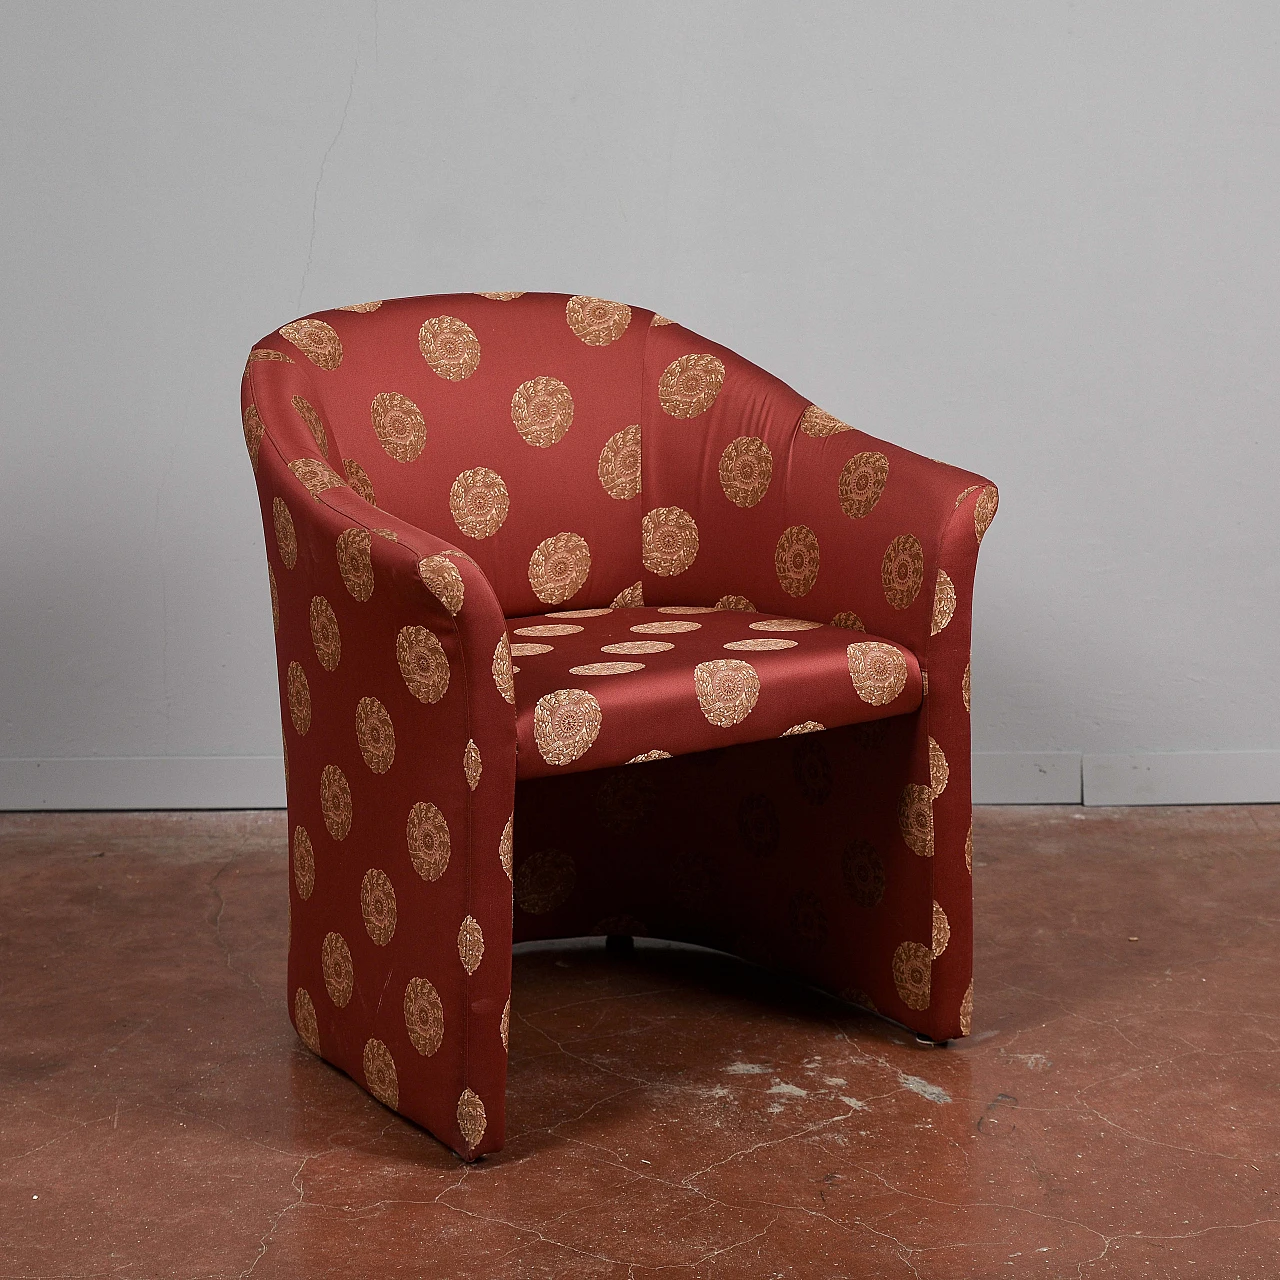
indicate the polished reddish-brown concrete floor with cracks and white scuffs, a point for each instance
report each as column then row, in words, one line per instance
column 1117, row 1112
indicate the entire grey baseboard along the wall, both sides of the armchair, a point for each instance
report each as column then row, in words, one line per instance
column 999, row 778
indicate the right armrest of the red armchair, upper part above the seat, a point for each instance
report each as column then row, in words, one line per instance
column 752, row 492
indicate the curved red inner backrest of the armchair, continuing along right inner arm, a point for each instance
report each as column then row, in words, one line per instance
column 589, row 454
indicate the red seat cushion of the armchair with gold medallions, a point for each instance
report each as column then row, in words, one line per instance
column 598, row 688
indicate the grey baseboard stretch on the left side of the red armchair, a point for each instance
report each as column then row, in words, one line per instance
column 144, row 783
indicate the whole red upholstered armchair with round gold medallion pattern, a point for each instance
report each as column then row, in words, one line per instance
column 587, row 625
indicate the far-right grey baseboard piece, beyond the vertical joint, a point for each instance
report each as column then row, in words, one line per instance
column 1183, row 778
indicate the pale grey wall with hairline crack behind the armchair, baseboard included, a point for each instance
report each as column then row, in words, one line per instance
column 1035, row 240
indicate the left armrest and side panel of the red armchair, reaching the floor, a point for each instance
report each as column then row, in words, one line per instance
column 400, row 730
